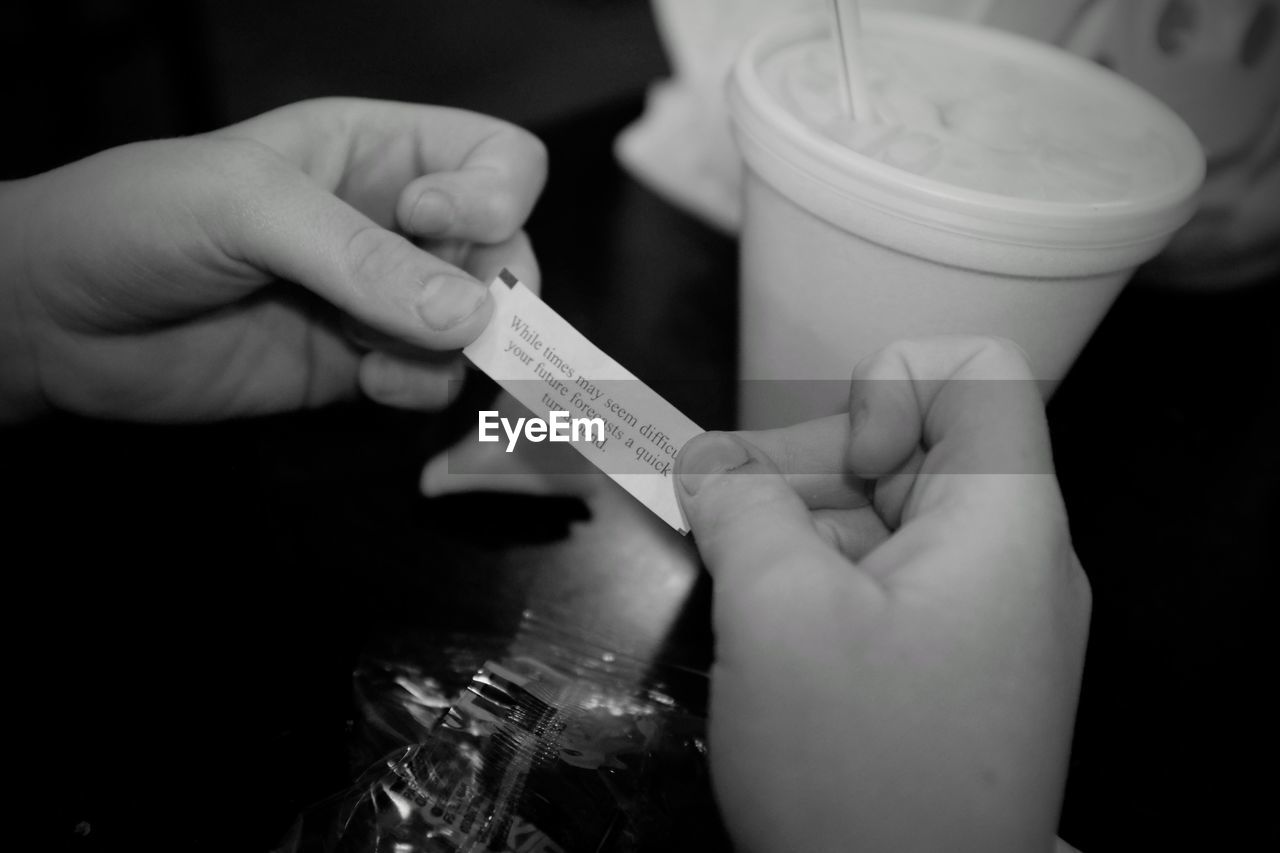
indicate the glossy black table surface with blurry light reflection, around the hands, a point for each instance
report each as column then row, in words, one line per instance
column 190, row 601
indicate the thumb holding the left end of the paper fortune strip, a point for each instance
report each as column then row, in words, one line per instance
column 298, row 231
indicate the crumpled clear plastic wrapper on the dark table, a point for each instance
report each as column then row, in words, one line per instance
column 548, row 743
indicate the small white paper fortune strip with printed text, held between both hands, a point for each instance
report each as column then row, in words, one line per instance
column 550, row 367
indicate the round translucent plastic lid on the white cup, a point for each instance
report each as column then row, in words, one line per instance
column 1153, row 191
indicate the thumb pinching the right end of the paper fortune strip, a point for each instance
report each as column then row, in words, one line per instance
column 747, row 519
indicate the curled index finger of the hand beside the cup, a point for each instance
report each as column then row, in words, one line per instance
column 954, row 423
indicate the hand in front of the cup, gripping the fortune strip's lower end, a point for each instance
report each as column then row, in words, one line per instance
column 897, row 672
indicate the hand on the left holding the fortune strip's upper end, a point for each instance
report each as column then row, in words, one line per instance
column 207, row 277
